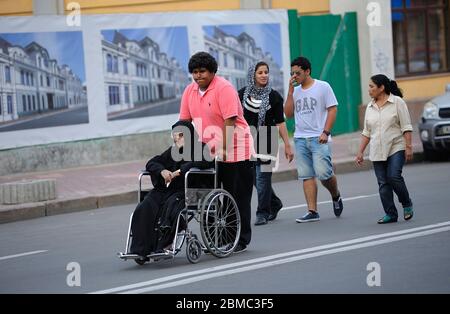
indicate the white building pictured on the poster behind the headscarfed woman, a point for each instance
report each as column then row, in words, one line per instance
column 234, row 54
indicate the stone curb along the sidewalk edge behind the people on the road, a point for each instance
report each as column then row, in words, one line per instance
column 11, row 213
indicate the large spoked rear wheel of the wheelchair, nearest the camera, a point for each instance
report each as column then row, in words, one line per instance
column 220, row 223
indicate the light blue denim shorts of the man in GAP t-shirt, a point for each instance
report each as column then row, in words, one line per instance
column 313, row 159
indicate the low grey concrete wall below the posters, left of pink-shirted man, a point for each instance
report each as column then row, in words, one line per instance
column 83, row 153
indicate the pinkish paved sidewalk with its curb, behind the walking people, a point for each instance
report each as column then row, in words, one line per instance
column 116, row 184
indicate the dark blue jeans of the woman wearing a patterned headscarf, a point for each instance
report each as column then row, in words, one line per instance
column 268, row 201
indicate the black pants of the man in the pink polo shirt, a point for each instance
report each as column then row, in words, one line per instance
column 237, row 179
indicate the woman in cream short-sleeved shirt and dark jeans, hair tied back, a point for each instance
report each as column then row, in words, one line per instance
column 387, row 126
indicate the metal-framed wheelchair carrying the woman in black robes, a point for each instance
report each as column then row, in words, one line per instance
column 213, row 208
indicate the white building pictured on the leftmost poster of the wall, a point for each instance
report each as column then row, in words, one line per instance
column 32, row 83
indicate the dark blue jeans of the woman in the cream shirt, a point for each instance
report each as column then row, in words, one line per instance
column 390, row 180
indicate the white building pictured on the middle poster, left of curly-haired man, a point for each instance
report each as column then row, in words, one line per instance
column 138, row 73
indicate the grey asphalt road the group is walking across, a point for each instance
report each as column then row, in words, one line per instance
column 331, row 256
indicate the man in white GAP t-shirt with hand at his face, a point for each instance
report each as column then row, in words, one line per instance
column 314, row 106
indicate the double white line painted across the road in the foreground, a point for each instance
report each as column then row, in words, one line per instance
column 277, row 259
